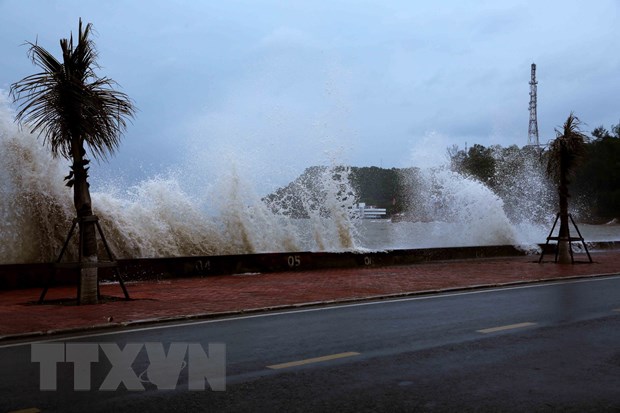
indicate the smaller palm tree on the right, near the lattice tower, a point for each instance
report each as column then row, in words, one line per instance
column 566, row 152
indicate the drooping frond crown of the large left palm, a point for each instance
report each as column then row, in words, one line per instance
column 67, row 103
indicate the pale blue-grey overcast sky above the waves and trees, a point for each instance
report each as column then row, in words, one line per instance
column 272, row 87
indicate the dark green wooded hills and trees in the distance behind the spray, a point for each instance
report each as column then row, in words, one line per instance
column 509, row 172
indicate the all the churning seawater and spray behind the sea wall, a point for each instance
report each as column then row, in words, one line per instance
column 158, row 218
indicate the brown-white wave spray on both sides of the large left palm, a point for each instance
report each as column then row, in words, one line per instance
column 156, row 217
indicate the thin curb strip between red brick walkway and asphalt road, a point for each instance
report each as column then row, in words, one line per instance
column 212, row 315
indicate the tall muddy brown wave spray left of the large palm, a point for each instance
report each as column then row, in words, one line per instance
column 35, row 210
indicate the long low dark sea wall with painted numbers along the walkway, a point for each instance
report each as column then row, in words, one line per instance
column 16, row 276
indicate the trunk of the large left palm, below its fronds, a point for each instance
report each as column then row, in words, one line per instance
column 88, row 239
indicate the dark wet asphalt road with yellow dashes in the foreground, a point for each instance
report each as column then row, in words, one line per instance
column 553, row 346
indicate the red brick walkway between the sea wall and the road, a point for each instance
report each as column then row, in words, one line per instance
column 228, row 294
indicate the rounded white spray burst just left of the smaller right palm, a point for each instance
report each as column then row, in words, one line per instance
column 446, row 209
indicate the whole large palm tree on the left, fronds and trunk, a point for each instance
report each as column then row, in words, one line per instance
column 73, row 108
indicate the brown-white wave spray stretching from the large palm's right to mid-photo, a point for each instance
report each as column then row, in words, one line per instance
column 157, row 218
